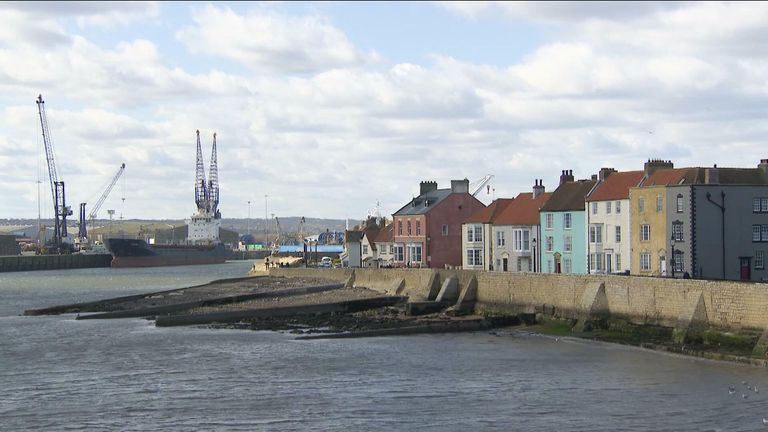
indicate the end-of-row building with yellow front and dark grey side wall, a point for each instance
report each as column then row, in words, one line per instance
column 702, row 222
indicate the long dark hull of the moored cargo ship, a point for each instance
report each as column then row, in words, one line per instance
column 137, row 253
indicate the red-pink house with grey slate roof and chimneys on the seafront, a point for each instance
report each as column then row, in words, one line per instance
column 427, row 230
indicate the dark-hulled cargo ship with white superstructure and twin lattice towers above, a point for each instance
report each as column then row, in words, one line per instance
column 202, row 245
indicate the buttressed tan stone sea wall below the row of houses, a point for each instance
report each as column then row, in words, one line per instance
column 641, row 300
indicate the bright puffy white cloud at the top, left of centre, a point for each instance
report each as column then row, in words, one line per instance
column 267, row 41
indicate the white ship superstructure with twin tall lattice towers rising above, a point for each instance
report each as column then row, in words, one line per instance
column 205, row 223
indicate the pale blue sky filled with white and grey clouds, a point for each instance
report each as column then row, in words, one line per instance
column 333, row 109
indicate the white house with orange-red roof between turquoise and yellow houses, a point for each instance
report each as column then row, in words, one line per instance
column 608, row 221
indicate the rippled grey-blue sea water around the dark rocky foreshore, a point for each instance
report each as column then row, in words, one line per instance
column 60, row 374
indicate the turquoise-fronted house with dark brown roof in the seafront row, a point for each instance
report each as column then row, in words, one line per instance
column 563, row 240
